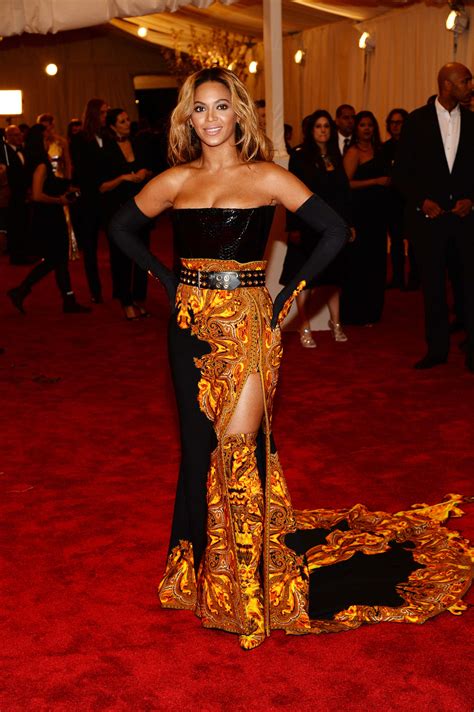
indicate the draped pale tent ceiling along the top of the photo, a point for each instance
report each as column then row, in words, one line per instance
column 238, row 16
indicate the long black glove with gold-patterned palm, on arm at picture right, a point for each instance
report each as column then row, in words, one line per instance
column 334, row 234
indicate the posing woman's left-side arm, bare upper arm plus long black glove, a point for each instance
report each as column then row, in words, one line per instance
column 136, row 214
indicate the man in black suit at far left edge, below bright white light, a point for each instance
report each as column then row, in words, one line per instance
column 17, row 212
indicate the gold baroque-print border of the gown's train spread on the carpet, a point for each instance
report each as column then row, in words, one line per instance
column 446, row 557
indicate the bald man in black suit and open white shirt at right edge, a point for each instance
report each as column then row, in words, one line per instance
column 435, row 171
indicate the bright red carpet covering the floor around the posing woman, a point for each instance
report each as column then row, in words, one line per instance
column 89, row 460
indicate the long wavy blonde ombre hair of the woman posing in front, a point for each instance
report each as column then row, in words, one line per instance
column 251, row 142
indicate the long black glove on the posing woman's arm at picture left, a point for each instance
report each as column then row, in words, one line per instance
column 124, row 228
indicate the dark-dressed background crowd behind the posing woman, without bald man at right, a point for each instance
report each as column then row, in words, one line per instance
column 57, row 193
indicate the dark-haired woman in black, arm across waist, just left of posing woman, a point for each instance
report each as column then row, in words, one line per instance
column 123, row 173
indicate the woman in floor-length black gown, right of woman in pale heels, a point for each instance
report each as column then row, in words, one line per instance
column 364, row 285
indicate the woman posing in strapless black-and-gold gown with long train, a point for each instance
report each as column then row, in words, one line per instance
column 235, row 558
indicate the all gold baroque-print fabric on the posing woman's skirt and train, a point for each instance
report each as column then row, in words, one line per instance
column 249, row 581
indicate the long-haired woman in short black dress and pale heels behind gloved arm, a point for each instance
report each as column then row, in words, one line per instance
column 318, row 165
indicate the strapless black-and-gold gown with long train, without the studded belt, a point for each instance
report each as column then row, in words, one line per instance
column 241, row 558
